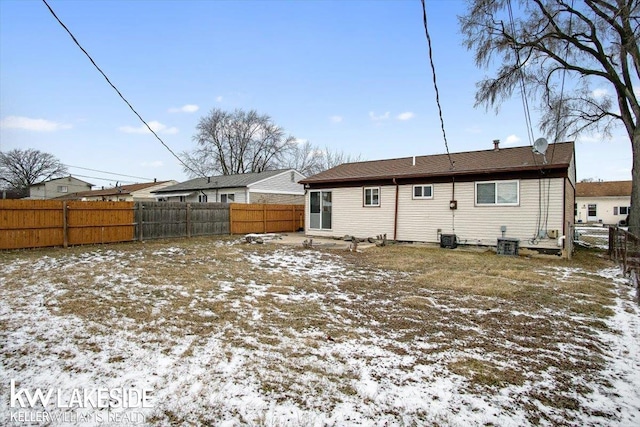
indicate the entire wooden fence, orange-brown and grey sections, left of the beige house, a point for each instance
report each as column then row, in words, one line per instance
column 40, row 223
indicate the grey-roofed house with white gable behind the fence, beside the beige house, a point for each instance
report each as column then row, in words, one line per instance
column 271, row 187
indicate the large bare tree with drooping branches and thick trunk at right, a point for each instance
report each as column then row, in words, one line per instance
column 579, row 58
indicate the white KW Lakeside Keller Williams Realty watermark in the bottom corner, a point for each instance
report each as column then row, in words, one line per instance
column 123, row 405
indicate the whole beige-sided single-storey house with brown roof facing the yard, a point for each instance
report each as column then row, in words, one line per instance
column 511, row 192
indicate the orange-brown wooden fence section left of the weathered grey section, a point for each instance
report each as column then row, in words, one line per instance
column 38, row 223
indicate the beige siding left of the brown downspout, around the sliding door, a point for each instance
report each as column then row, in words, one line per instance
column 349, row 216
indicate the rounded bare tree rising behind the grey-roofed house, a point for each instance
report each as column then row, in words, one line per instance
column 237, row 142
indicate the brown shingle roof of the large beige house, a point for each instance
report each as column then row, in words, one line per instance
column 558, row 156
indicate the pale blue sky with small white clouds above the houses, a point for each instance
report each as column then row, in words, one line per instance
column 352, row 76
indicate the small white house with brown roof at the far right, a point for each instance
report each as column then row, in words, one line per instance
column 603, row 202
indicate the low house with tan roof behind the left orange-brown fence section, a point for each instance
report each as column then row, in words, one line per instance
column 122, row 193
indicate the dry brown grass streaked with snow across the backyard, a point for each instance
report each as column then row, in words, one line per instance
column 505, row 320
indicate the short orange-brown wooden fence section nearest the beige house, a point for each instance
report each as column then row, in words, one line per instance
column 257, row 218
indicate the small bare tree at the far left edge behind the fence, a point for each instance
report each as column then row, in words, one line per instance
column 19, row 169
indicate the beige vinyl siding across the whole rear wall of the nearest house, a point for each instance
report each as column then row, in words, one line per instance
column 423, row 220
